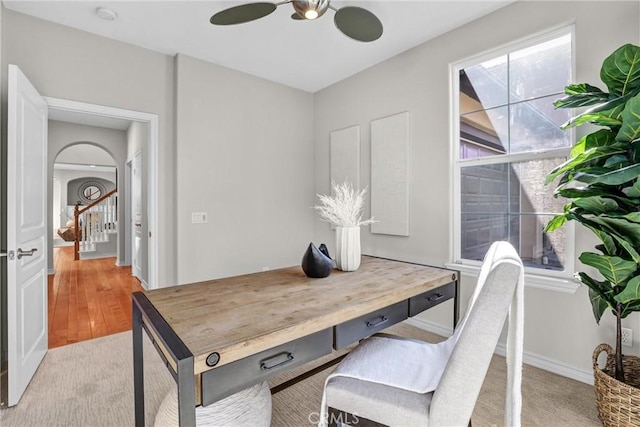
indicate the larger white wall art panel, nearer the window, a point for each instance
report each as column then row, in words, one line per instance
column 389, row 175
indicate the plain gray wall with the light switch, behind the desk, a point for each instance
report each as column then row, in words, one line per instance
column 244, row 156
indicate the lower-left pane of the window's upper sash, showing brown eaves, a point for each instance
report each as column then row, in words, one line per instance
column 487, row 129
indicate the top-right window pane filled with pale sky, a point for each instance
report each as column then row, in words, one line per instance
column 540, row 70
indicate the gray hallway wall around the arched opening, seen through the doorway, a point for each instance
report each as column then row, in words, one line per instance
column 63, row 135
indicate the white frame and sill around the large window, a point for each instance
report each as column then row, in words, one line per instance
column 557, row 280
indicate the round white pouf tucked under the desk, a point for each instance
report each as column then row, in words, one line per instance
column 249, row 407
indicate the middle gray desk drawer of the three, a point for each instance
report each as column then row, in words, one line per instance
column 367, row 325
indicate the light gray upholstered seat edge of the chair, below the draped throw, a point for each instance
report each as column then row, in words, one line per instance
column 377, row 402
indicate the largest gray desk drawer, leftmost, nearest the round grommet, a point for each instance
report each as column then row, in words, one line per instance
column 226, row 380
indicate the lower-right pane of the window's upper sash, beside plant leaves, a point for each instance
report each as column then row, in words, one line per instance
column 535, row 125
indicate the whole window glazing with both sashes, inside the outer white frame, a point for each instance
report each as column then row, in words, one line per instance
column 508, row 137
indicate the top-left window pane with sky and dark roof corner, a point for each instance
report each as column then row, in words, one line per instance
column 484, row 85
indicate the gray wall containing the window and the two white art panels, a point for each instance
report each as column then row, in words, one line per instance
column 559, row 327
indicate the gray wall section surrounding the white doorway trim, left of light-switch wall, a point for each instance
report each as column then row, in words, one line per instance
column 62, row 62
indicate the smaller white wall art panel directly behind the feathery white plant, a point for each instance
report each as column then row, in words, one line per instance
column 345, row 156
